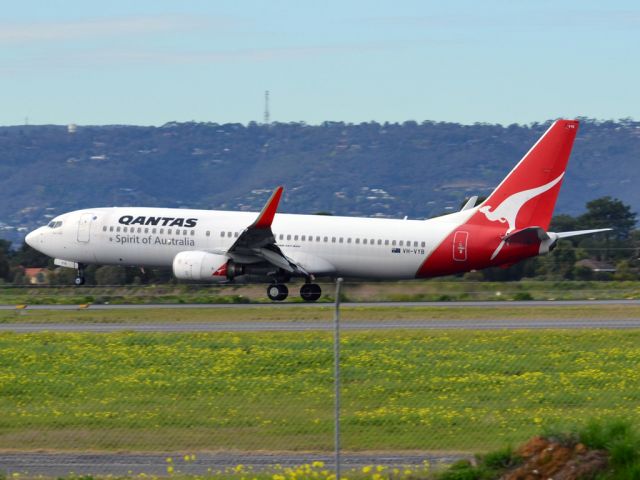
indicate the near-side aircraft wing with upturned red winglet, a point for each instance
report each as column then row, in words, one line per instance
column 257, row 241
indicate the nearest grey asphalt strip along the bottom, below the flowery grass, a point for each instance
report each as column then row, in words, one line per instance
column 62, row 464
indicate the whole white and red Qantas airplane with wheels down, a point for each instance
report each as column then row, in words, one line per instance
column 226, row 246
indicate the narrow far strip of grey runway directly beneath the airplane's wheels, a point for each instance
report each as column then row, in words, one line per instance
column 492, row 304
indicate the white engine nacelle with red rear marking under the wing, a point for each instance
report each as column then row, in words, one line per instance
column 199, row 265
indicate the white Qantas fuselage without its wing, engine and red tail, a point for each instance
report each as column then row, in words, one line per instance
column 323, row 245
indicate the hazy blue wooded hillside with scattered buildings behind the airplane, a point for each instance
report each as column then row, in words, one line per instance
column 372, row 169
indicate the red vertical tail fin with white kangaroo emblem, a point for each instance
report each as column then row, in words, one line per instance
column 528, row 194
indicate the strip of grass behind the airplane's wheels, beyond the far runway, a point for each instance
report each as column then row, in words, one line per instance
column 431, row 290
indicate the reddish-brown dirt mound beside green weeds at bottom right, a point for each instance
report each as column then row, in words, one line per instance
column 549, row 459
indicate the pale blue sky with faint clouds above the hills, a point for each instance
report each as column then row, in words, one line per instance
column 149, row 62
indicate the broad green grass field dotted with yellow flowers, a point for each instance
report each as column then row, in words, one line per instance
column 468, row 391
